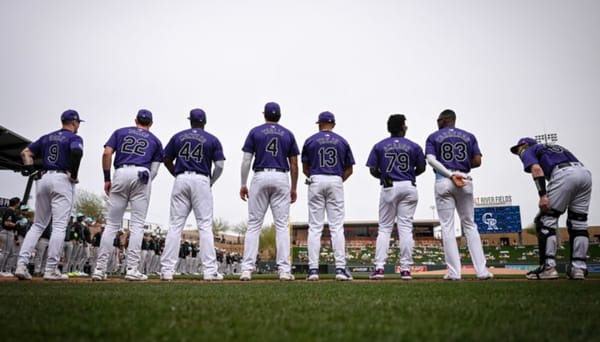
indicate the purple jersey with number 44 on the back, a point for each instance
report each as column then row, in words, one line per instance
column 194, row 150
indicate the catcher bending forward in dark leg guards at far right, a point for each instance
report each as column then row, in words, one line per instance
column 569, row 189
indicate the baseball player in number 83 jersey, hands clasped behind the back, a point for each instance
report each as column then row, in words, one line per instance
column 453, row 152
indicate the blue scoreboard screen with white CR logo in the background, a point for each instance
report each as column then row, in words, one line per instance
column 491, row 220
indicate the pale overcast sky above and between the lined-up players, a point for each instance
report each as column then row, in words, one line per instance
column 508, row 68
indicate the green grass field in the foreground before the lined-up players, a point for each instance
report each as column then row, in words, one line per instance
column 389, row 310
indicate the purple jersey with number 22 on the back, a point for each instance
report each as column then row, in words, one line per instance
column 135, row 146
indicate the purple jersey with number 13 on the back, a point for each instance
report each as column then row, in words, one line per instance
column 327, row 153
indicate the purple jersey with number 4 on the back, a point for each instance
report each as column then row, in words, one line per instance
column 272, row 145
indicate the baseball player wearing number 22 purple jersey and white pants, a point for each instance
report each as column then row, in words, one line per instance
column 138, row 154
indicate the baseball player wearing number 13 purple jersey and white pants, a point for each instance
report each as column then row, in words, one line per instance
column 327, row 161
